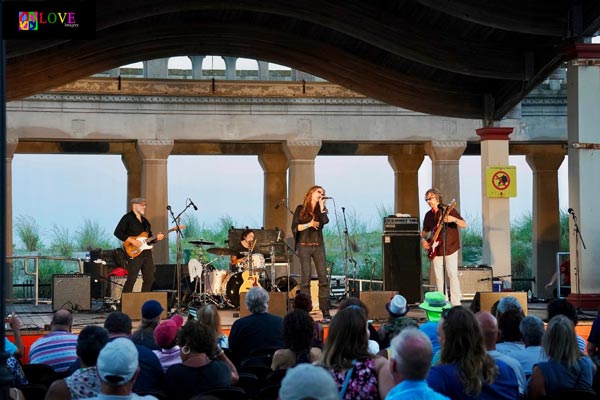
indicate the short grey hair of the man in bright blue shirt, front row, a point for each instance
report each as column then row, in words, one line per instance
column 412, row 351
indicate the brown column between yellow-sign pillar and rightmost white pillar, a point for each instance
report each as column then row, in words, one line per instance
column 544, row 161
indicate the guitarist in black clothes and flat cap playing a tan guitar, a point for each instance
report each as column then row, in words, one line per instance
column 133, row 225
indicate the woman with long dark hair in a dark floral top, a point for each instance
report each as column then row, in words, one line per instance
column 357, row 372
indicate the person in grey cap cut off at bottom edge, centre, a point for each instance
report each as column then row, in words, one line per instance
column 306, row 381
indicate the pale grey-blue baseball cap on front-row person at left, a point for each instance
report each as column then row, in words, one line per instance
column 117, row 362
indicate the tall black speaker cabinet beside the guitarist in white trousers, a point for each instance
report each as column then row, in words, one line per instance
column 402, row 265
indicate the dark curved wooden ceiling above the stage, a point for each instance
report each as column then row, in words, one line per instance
column 464, row 58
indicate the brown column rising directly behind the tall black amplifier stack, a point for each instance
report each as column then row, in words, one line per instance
column 406, row 161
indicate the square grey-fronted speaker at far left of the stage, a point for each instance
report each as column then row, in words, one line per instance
column 71, row 292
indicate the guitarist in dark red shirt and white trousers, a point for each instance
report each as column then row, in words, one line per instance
column 432, row 223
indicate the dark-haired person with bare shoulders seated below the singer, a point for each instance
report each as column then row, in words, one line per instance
column 297, row 336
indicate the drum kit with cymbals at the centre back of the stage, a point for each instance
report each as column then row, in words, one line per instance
column 223, row 288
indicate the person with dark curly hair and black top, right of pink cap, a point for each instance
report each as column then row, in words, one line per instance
column 197, row 373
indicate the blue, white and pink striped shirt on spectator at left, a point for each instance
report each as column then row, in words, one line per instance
column 57, row 349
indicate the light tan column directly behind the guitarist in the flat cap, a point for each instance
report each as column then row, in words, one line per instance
column 154, row 154
